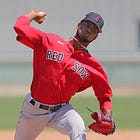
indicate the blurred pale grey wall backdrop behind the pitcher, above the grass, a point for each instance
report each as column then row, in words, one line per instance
column 117, row 47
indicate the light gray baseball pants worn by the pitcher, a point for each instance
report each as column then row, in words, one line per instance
column 33, row 121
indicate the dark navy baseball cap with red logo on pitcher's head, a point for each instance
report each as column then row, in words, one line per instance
column 94, row 18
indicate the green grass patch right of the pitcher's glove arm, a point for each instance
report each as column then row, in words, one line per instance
column 127, row 112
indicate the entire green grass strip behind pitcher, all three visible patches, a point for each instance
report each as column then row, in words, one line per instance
column 126, row 111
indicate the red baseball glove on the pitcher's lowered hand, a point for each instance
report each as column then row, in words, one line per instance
column 103, row 124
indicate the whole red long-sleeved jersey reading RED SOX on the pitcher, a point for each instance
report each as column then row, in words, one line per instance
column 59, row 71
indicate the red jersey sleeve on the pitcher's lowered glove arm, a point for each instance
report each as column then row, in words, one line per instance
column 102, row 88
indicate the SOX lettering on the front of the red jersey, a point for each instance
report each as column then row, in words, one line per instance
column 80, row 70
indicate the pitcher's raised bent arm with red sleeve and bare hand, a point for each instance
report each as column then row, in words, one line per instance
column 27, row 34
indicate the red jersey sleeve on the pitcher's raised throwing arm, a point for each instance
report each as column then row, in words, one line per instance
column 27, row 34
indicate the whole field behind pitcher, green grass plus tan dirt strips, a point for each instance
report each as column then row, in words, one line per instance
column 125, row 113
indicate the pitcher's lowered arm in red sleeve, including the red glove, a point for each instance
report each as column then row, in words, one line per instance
column 104, row 123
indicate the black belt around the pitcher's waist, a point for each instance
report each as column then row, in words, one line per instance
column 49, row 108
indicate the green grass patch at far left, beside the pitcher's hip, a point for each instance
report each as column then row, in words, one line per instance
column 9, row 112
